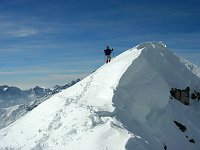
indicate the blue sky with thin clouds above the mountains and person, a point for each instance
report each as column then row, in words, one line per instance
column 49, row 42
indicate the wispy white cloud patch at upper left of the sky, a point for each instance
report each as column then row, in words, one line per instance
column 15, row 26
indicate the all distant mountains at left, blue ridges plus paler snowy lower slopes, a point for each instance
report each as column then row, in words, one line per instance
column 15, row 103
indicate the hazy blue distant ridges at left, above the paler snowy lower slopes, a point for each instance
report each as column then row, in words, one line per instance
column 11, row 96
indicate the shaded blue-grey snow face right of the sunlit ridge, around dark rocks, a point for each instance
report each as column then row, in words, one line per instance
column 143, row 102
